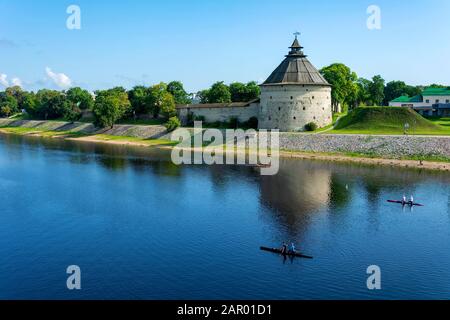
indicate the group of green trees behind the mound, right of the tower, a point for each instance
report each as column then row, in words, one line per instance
column 350, row 91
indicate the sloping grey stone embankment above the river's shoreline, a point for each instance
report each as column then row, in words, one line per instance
column 377, row 146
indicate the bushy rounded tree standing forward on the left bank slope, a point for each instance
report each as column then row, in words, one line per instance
column 110, row 106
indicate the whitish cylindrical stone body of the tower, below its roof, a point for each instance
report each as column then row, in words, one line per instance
column 291, row 107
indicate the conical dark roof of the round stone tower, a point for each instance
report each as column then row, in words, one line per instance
column 296, row 69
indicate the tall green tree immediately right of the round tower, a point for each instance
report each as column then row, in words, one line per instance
column 344, row 90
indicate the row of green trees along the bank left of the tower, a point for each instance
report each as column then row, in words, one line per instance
column 110, row 106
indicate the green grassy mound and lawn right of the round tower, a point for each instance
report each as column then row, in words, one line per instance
column 390, row 121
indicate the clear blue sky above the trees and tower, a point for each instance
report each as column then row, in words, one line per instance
column 202, row 41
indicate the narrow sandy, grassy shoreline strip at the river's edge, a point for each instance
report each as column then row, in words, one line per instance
column 333, row 157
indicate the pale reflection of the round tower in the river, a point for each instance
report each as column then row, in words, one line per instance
column 299, row 190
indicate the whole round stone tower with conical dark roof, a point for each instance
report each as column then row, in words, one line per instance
column 295, row 94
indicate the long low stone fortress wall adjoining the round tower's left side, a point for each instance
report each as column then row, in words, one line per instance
column 221, row 114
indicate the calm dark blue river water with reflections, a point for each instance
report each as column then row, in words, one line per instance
column 140, row 227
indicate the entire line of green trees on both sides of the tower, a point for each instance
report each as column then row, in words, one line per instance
column 159, row 101
